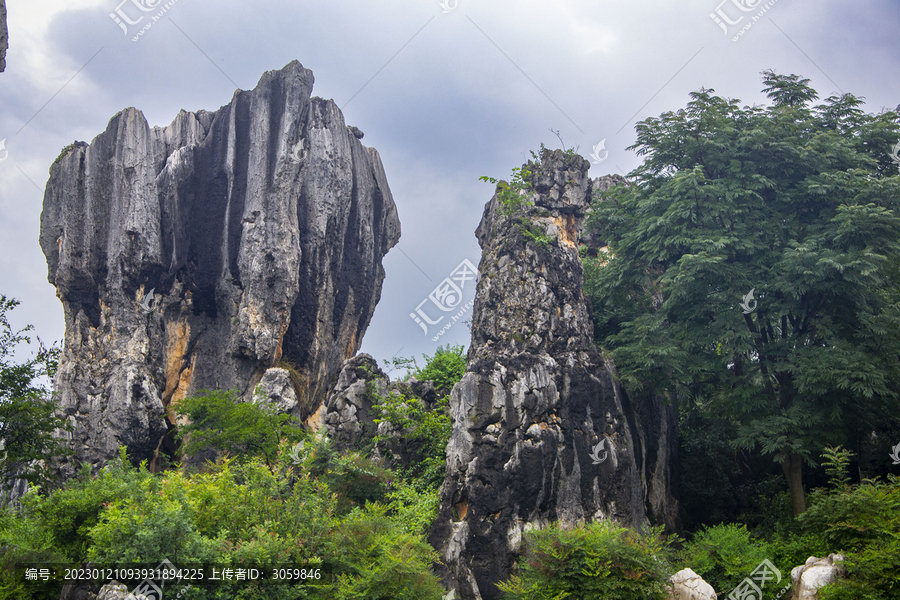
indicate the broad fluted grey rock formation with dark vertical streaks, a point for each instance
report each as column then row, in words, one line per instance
column 259, row 229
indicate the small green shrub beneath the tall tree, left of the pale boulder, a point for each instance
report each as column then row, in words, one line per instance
column 724, row 555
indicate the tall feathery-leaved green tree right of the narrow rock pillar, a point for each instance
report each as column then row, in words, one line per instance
column 792, row 202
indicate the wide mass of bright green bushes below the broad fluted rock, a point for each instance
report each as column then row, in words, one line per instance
column 234, row 514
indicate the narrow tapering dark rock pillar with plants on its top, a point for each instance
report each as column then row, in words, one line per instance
column 541, row 431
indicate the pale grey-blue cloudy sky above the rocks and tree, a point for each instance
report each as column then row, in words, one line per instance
column 446, row 93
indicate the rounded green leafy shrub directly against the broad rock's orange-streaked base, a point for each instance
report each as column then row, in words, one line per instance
column 220, row 421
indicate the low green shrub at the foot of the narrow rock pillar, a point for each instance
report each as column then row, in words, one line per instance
column 598, row 561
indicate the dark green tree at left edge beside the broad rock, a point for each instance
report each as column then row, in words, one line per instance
column 28, row 415
